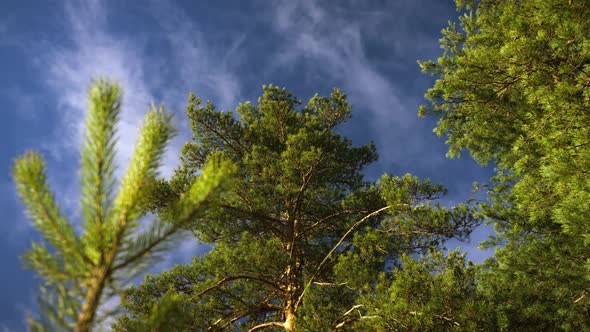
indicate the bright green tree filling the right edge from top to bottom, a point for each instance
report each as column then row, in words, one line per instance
column 513, row 88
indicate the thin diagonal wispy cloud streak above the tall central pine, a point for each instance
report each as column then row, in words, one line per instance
column 335, row 46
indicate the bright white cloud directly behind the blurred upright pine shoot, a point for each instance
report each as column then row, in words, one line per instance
column 94, row 53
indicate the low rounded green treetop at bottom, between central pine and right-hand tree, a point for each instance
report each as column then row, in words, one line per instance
column 432, row 293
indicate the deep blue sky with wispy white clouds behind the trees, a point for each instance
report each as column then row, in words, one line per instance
column 223, row 51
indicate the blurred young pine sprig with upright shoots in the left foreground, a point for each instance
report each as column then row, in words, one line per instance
column 81, row 270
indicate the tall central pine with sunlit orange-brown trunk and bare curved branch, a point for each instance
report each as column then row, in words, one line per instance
column 299, row 237
